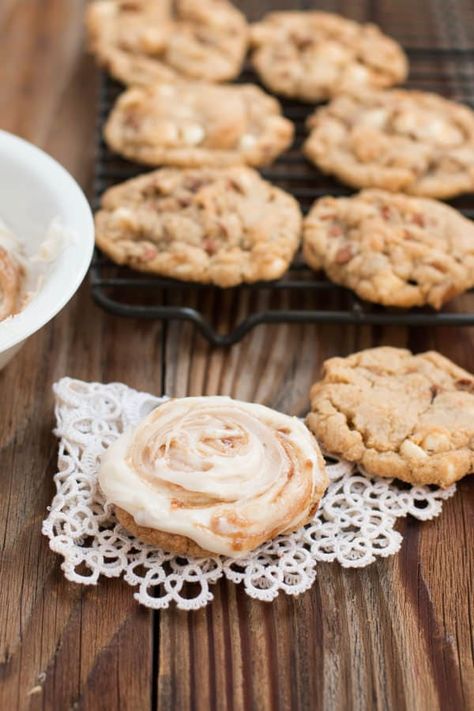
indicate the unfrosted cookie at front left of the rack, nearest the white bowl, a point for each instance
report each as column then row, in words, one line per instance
column 222, row 227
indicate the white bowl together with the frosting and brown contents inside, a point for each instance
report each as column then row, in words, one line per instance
column 46, row 241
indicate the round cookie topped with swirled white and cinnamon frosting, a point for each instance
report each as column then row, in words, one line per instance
column 210, row 475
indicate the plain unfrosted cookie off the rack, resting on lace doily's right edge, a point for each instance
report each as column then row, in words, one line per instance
column 397, row 414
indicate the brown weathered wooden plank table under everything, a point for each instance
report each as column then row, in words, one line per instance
column 397, row 635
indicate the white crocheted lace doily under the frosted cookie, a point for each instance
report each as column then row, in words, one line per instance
column 354, row 524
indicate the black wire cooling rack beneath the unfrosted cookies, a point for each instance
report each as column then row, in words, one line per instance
column 301, row 296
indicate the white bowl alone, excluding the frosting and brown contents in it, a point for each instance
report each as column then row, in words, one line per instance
column 34, row 190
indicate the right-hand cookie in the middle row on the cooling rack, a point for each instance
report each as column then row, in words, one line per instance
column 406, row 141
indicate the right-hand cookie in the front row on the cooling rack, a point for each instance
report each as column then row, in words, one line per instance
column 391, row 249
